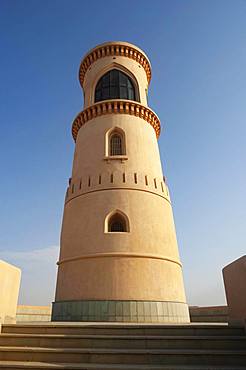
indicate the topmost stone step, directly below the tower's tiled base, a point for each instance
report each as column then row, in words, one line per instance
column 123, row 329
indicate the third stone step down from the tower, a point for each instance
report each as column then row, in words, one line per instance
column 125, row 356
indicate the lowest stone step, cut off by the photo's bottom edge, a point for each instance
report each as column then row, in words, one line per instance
column 17, row 365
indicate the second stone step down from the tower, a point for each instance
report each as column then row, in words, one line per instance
column 123, row 341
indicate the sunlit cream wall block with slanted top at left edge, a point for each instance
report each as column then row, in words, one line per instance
column 9, row 291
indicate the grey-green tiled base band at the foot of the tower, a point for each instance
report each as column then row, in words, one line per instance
column 121, row 311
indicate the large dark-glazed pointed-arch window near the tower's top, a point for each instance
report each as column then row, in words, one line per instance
column 115, row 85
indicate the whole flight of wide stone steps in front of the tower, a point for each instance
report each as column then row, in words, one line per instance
column 122, row 346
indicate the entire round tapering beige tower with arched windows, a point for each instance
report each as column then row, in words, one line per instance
column 119, row 257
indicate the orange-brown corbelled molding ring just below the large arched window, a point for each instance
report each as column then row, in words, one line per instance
column 116, row 106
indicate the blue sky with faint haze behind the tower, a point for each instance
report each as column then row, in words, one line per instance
column 198, row 55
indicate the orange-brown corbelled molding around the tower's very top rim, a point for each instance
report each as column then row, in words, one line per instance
column 112, row 49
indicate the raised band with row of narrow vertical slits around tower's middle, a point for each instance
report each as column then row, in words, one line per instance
column 117, row 180
